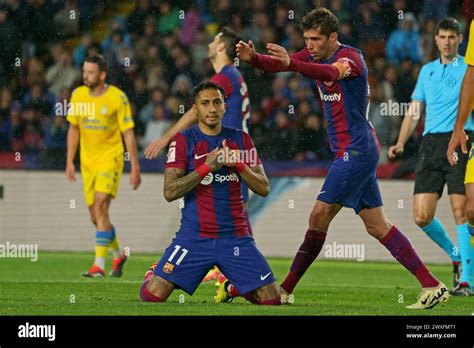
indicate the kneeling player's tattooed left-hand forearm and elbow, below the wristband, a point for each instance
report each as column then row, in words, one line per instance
column 177, row 184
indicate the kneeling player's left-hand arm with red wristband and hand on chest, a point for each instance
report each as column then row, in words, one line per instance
column 177, row 184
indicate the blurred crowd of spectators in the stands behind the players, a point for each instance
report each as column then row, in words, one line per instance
column 157, row 52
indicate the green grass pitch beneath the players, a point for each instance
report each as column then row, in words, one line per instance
column 53, row 286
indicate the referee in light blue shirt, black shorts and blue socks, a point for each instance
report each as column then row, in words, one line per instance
column 438, row 89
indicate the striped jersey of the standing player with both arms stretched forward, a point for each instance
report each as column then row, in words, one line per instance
column 345, row 102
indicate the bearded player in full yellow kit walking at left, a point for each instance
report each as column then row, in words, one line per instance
column 99, row 114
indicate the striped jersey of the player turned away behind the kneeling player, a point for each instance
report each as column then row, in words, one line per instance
column 236, row 97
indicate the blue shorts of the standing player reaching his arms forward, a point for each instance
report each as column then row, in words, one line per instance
column 352, row 183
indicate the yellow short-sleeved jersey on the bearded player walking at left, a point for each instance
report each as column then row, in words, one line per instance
column 101, row 121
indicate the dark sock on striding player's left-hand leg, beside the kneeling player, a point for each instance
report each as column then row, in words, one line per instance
column 307, row 253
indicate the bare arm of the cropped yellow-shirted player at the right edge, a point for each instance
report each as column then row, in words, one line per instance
column 466, row 104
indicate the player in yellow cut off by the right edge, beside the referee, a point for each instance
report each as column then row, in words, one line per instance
column 466, row 105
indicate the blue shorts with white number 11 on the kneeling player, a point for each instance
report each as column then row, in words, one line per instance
column 187, row 260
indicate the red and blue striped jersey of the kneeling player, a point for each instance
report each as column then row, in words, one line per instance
column 214, row 209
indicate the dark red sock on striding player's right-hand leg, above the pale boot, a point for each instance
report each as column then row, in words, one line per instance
column 402, row 250
